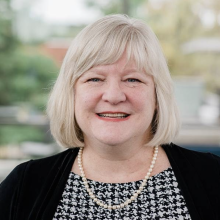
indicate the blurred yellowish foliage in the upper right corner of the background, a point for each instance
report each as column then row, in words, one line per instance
column 177, row 22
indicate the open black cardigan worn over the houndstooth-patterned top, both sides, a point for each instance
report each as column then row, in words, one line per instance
column 33, row 189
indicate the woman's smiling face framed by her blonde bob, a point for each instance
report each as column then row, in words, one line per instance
column 115, row 104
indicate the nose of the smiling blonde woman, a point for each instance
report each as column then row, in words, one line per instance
column 113, row 93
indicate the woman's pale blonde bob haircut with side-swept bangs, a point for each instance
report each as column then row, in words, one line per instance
column 102, row 43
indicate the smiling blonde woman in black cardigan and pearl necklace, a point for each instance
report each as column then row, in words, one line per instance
column 113, row 106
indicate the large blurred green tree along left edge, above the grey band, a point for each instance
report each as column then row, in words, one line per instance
column 24, row 75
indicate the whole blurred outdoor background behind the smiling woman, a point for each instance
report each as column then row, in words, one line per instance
column 35, row 35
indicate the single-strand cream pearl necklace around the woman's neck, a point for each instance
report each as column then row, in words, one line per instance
column 128, row 201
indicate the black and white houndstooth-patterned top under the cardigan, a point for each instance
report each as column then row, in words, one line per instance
column 160, row 199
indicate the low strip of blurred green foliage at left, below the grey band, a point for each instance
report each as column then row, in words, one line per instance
column 18, row 134
